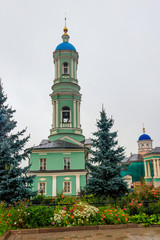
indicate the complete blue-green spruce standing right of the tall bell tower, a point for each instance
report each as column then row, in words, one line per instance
column 104, row 168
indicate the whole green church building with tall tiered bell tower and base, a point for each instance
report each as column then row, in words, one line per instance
column 59, row 161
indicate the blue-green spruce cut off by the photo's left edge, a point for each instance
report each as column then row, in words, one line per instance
column 14, row 184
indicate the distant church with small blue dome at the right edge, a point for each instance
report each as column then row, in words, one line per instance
column 143, row 166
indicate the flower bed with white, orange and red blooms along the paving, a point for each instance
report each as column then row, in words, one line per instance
column 131, row 209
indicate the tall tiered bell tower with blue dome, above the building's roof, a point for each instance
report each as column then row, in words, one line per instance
column 66, row 97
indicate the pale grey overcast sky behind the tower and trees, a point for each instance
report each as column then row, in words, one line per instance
column 119, row 63
